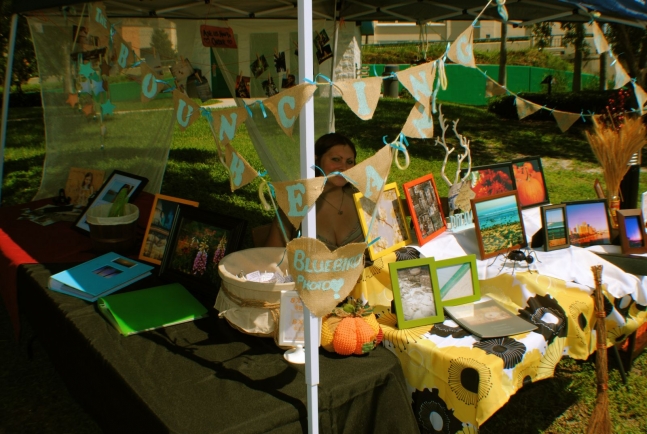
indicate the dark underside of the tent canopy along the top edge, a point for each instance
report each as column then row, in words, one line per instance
column 521, row 12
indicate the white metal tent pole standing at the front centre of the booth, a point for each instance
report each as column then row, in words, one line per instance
column 309, row 224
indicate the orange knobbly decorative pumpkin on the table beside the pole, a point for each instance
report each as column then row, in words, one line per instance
column 350, row 329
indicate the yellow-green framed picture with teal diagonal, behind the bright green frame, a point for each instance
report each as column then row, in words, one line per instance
column 457, row 280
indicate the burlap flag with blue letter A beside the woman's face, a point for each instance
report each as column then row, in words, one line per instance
column 369, row 175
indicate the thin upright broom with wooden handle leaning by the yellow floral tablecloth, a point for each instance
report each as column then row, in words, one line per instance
column 600, row 422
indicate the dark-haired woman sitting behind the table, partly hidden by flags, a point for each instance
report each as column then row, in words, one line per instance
column 337, row 220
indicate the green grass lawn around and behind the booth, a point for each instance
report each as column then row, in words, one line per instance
column 559, row 405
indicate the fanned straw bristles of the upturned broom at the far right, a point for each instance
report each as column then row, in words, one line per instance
column 614, row 147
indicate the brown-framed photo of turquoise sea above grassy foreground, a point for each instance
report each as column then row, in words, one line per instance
column 498, row 223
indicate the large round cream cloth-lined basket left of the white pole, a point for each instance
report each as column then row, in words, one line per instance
column 251, row 307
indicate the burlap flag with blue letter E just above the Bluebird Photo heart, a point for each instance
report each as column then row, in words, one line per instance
column 295, row 198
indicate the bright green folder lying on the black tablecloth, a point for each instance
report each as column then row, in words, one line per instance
column 148, row 309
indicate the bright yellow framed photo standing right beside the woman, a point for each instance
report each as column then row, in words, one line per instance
column 389, row 227
